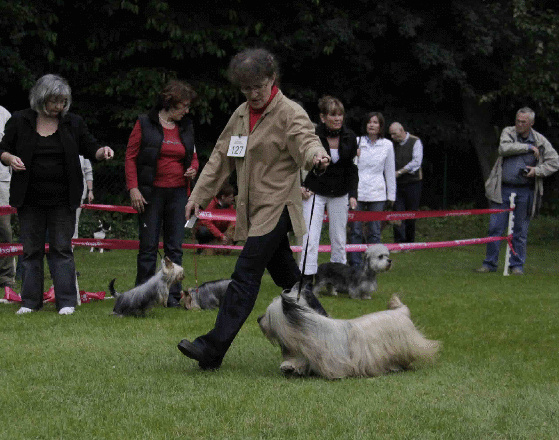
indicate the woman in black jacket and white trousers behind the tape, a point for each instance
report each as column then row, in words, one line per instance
column 334, row 190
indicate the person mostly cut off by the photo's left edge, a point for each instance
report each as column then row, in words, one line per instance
column 7, row 270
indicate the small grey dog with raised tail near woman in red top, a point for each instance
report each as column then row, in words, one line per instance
column 155, row 290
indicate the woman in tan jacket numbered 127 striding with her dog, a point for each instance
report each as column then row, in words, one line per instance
column 267, row 140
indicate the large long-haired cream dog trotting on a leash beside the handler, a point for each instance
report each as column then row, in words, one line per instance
column 367, row 346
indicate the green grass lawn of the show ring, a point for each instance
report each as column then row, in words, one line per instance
column 93, row 376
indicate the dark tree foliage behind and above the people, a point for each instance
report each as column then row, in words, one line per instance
column 452, row 72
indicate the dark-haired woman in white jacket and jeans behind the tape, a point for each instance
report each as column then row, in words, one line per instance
column 377, row 180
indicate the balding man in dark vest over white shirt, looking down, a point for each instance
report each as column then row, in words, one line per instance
column 408, row 152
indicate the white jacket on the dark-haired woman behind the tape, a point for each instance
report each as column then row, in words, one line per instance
column 377, row 170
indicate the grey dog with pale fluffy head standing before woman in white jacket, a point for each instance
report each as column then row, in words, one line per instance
column 359, row 281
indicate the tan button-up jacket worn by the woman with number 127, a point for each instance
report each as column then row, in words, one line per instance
column 282, row 142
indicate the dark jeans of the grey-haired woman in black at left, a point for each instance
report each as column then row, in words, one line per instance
column 60, row 222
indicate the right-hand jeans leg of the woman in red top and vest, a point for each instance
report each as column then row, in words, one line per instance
column 173, row 233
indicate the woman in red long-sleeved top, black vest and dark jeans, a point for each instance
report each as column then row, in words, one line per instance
column 160, row 162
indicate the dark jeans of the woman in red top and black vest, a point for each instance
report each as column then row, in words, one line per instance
column 165, row 210
